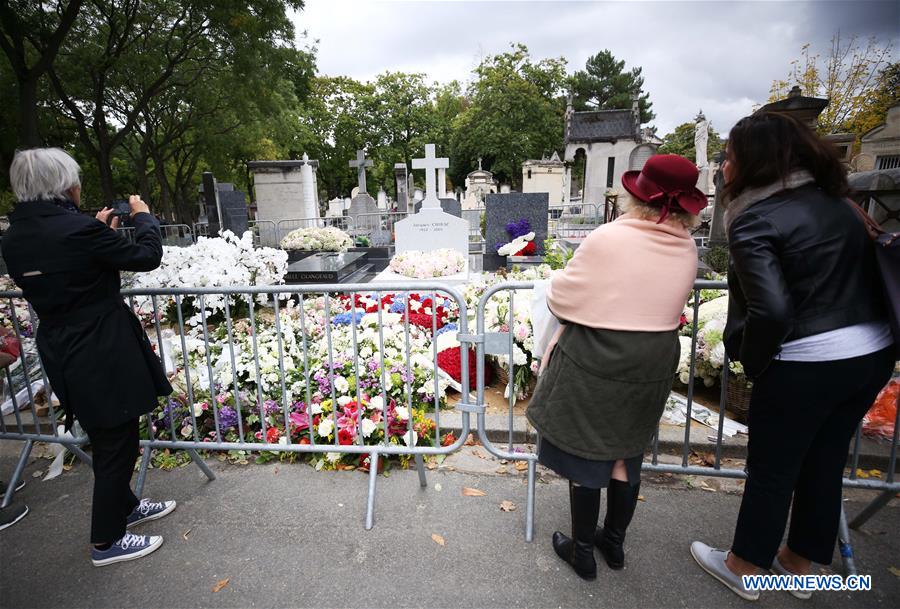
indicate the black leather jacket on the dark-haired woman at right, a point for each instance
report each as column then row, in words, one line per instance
column 801, row 264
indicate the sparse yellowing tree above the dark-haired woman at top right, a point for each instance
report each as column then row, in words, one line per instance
column 848, row 77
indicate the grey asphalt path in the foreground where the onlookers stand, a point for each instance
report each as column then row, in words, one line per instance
column 288, row 536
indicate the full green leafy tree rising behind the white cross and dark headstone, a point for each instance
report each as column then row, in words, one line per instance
column 515, row 112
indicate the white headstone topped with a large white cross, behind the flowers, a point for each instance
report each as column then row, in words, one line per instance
column 431, row 228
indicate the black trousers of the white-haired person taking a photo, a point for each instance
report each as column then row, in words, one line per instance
column 114, row 451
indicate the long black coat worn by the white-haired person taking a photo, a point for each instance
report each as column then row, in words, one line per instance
column 97, row 357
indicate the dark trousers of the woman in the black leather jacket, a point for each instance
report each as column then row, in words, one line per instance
column 802, row 418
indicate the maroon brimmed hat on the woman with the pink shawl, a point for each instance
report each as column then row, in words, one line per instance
column 669, row 181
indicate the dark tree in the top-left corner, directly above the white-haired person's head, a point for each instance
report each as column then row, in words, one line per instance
column 31, row 38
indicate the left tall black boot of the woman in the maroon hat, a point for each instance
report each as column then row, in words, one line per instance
column 578, row 551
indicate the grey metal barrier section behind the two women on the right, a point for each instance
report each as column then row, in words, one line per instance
column 503, row 344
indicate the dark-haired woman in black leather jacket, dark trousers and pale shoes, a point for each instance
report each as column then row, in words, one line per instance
column 807, row 319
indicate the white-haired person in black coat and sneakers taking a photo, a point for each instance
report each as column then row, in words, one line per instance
column 96, row 355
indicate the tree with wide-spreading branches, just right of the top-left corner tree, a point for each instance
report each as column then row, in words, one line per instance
column 148, row 48
